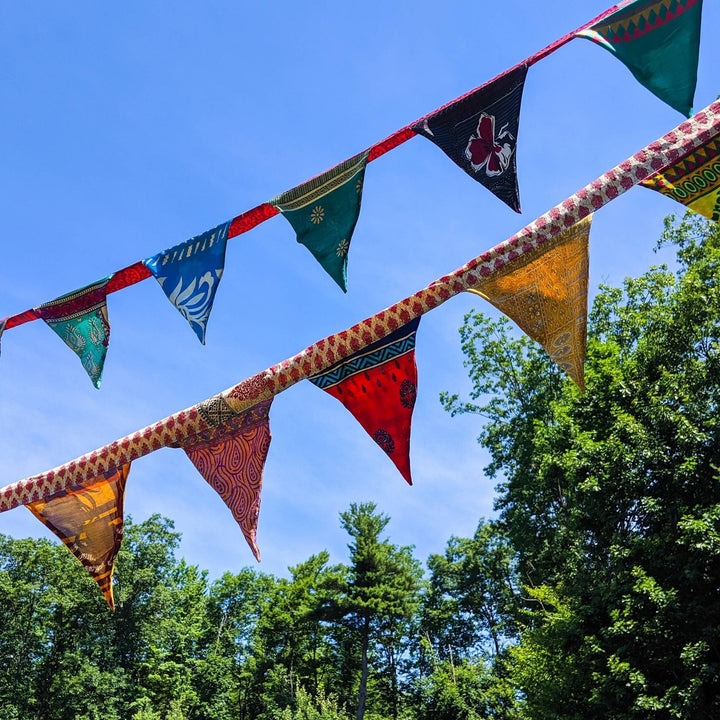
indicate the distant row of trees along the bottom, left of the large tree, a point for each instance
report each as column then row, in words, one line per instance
column 369, row 638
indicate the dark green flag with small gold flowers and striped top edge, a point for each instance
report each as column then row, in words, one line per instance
column 324, row 211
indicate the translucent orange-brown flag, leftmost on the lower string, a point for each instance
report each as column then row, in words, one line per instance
column 89, row 519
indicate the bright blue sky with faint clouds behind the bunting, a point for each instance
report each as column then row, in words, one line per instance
column 128, row 128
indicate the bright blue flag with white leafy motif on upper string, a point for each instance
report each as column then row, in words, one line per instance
column 189, row 274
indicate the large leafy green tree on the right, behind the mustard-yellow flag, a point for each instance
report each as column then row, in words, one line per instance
column 611, row 498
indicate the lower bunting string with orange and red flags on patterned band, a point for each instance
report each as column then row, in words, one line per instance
column 538, row 277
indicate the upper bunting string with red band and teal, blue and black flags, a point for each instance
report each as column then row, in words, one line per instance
column 658, row 40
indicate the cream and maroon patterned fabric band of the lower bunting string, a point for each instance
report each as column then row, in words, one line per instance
column 321, row 356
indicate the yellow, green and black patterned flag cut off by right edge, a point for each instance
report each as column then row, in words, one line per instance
column 694, row 180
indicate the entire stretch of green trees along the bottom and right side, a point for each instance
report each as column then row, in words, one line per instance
column 594, row 593
